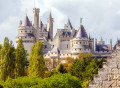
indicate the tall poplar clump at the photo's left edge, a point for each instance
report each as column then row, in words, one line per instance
column 7, row 62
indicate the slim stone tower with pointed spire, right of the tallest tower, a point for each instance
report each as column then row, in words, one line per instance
column 50, row 27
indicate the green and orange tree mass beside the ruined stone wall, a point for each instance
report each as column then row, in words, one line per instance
column 85, row 67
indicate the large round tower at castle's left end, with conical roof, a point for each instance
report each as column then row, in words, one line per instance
column 25, row 31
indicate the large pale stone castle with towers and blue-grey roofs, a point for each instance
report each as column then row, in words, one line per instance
column 66, row 42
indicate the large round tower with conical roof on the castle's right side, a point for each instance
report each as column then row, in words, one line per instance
column 80, row 42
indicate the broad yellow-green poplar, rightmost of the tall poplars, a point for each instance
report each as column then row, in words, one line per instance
column 36, row 60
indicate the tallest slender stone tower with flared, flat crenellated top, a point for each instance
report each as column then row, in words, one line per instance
column 36, row 22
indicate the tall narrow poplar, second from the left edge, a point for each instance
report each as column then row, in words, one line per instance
column 20, row 59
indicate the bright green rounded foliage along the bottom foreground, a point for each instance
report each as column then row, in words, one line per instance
column 55, row 81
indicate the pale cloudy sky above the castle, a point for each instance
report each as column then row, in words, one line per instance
column 101, row 18
